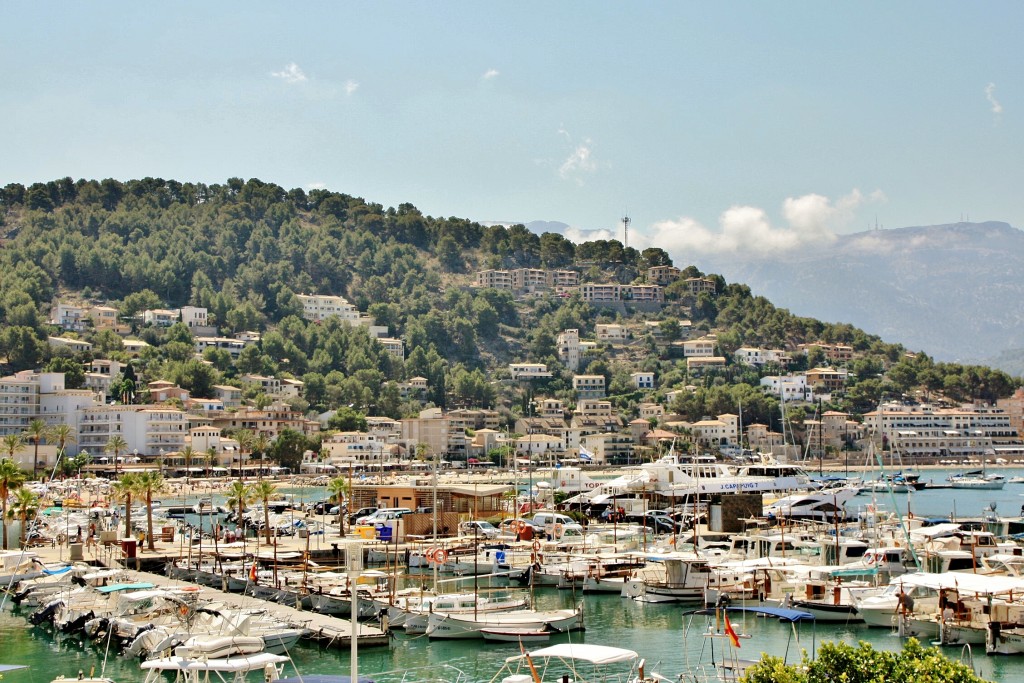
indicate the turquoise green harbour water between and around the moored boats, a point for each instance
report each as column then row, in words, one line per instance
column 657, row 632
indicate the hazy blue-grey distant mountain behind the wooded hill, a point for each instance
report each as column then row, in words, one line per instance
column 953, row 291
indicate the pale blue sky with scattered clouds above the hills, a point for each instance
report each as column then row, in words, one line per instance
column 718, row 127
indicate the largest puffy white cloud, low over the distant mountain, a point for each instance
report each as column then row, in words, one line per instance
column 812, row 220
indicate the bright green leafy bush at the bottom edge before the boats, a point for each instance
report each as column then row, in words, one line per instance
column 839, row 663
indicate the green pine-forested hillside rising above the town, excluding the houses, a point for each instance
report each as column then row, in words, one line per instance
column 245, row 249
